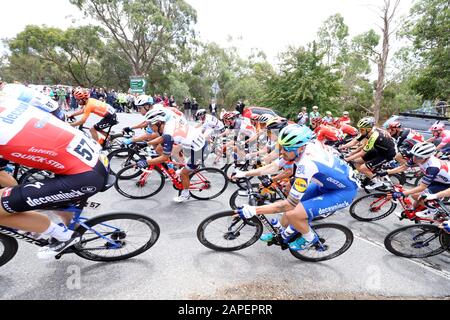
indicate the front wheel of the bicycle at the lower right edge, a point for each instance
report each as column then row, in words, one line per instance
column 416, row 241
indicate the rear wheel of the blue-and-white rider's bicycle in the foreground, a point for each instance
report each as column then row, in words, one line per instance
column 334, row 240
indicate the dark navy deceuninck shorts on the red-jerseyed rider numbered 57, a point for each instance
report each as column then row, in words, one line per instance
column 55, row 192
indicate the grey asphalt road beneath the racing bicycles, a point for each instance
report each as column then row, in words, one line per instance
column 179, row 267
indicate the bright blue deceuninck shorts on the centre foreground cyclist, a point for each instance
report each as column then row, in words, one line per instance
column 319, row 201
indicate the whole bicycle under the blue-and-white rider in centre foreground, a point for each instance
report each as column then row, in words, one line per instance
column 229, row 229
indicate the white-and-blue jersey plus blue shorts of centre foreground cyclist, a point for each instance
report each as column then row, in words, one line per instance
column 323, row 182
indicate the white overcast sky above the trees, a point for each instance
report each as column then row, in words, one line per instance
column 270, row 25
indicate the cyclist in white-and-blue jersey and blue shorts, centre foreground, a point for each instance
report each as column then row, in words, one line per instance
column 323, row 184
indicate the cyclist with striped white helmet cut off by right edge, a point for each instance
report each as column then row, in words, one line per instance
column 436, row 174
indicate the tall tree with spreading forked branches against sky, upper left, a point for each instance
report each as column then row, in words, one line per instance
column 145, row 31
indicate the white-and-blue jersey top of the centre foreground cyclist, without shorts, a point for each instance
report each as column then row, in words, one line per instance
column 319, row 165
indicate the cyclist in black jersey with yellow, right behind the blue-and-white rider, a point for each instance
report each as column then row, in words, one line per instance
column 379, row 149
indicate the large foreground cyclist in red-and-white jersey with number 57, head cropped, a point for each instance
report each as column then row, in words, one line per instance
column 30, row 137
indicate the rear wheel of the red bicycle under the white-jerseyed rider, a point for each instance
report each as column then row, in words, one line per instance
column 208, row 184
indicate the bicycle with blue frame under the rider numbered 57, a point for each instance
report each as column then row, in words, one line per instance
column 103, row 238
